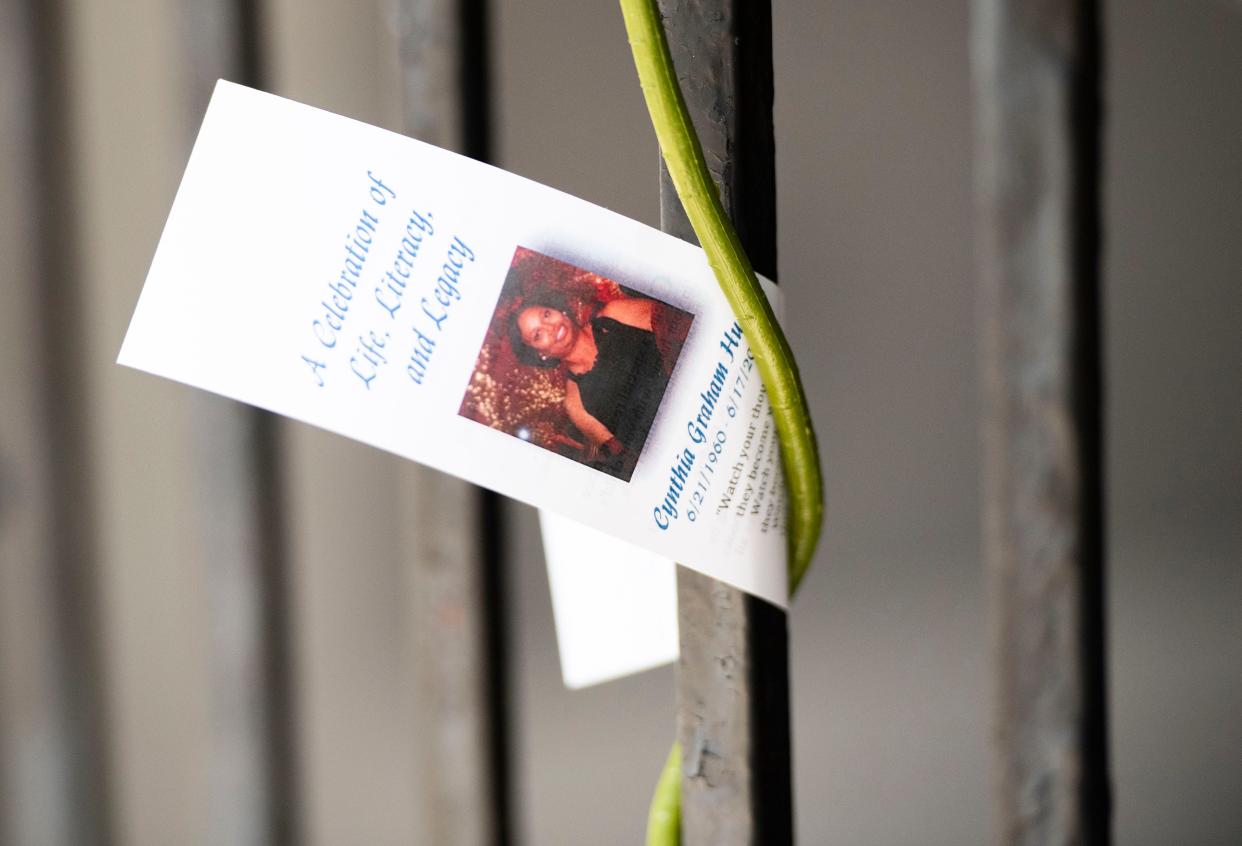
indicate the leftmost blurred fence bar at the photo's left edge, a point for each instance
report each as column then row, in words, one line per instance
column 53, row 787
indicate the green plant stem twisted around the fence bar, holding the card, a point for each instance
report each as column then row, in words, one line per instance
column 684, row 156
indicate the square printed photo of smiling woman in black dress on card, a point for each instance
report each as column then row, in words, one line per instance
column 576, row 363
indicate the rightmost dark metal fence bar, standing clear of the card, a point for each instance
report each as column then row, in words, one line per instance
column 1038, row 135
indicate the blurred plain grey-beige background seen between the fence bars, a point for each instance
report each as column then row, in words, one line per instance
column 890, row 657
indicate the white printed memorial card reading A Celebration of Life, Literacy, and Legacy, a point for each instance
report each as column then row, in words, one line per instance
column 473, row 321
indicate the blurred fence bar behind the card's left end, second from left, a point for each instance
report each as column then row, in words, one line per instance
column 253, row 781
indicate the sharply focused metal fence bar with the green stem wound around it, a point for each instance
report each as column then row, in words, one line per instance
column 733, row 674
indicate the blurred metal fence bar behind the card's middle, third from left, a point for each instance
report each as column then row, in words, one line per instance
column 451, row 539
